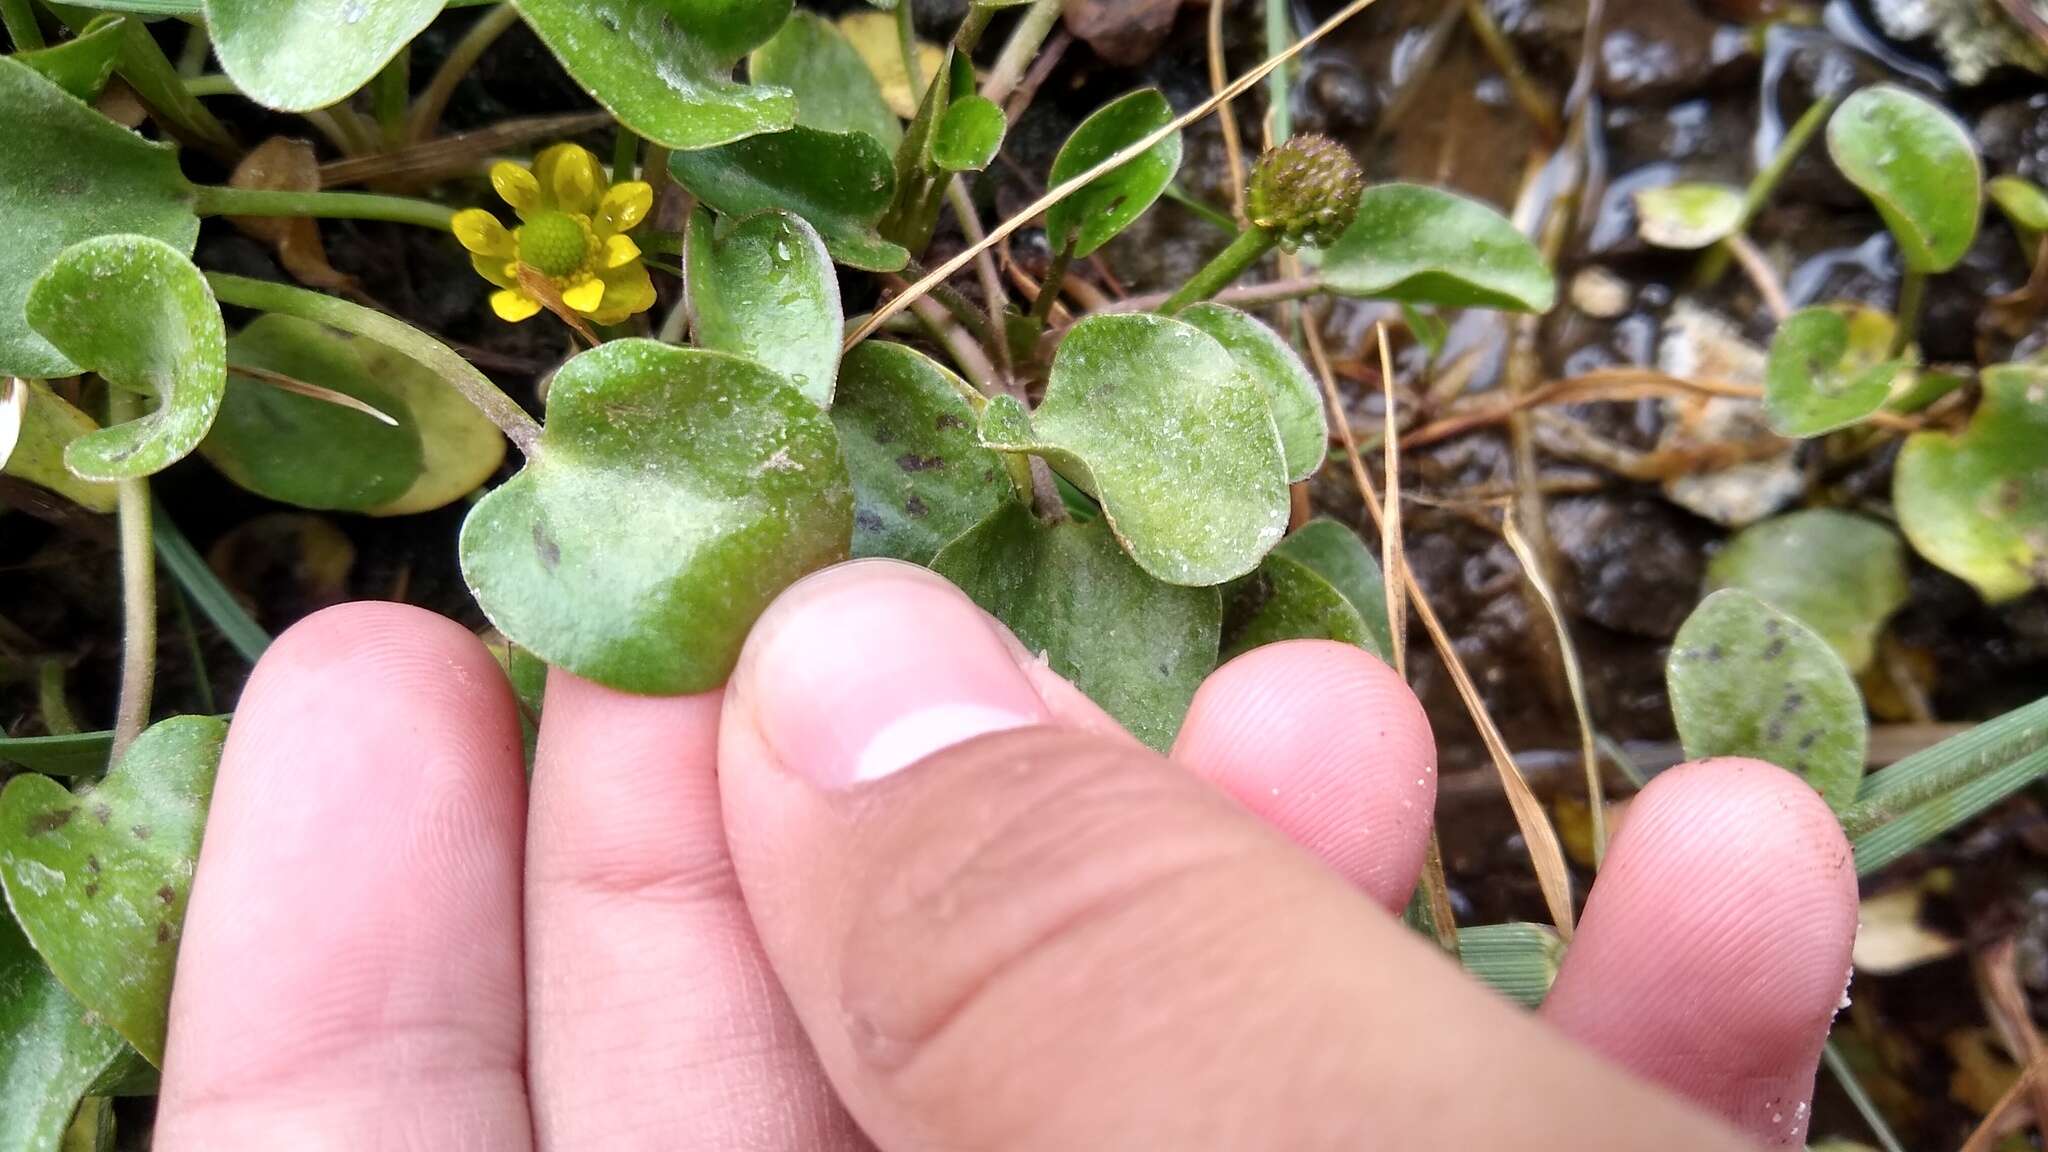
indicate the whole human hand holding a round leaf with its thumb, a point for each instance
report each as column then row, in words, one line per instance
column 728, row 921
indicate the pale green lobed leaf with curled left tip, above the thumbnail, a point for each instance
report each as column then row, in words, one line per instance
column 1154, row 419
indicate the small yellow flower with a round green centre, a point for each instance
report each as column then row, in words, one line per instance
column 572, row 235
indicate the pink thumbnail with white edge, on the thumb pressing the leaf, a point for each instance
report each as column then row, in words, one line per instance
column 871, row 667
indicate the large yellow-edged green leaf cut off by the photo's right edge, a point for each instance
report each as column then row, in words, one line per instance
column 1977, row 503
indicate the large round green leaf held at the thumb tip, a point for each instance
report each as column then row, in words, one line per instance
column 675, row 493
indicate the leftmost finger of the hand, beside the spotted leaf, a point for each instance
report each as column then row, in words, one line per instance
column 351, row 962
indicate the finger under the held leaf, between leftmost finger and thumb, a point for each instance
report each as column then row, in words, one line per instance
column 654, row 1018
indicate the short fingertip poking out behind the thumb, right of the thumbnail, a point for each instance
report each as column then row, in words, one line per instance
column 1324, row 743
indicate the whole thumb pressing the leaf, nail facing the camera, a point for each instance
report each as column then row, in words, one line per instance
column 1007, row 936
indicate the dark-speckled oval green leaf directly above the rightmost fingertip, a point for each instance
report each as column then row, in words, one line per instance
column 1752, row 682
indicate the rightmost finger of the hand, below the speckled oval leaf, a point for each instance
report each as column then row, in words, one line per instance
column 1715, row 946
